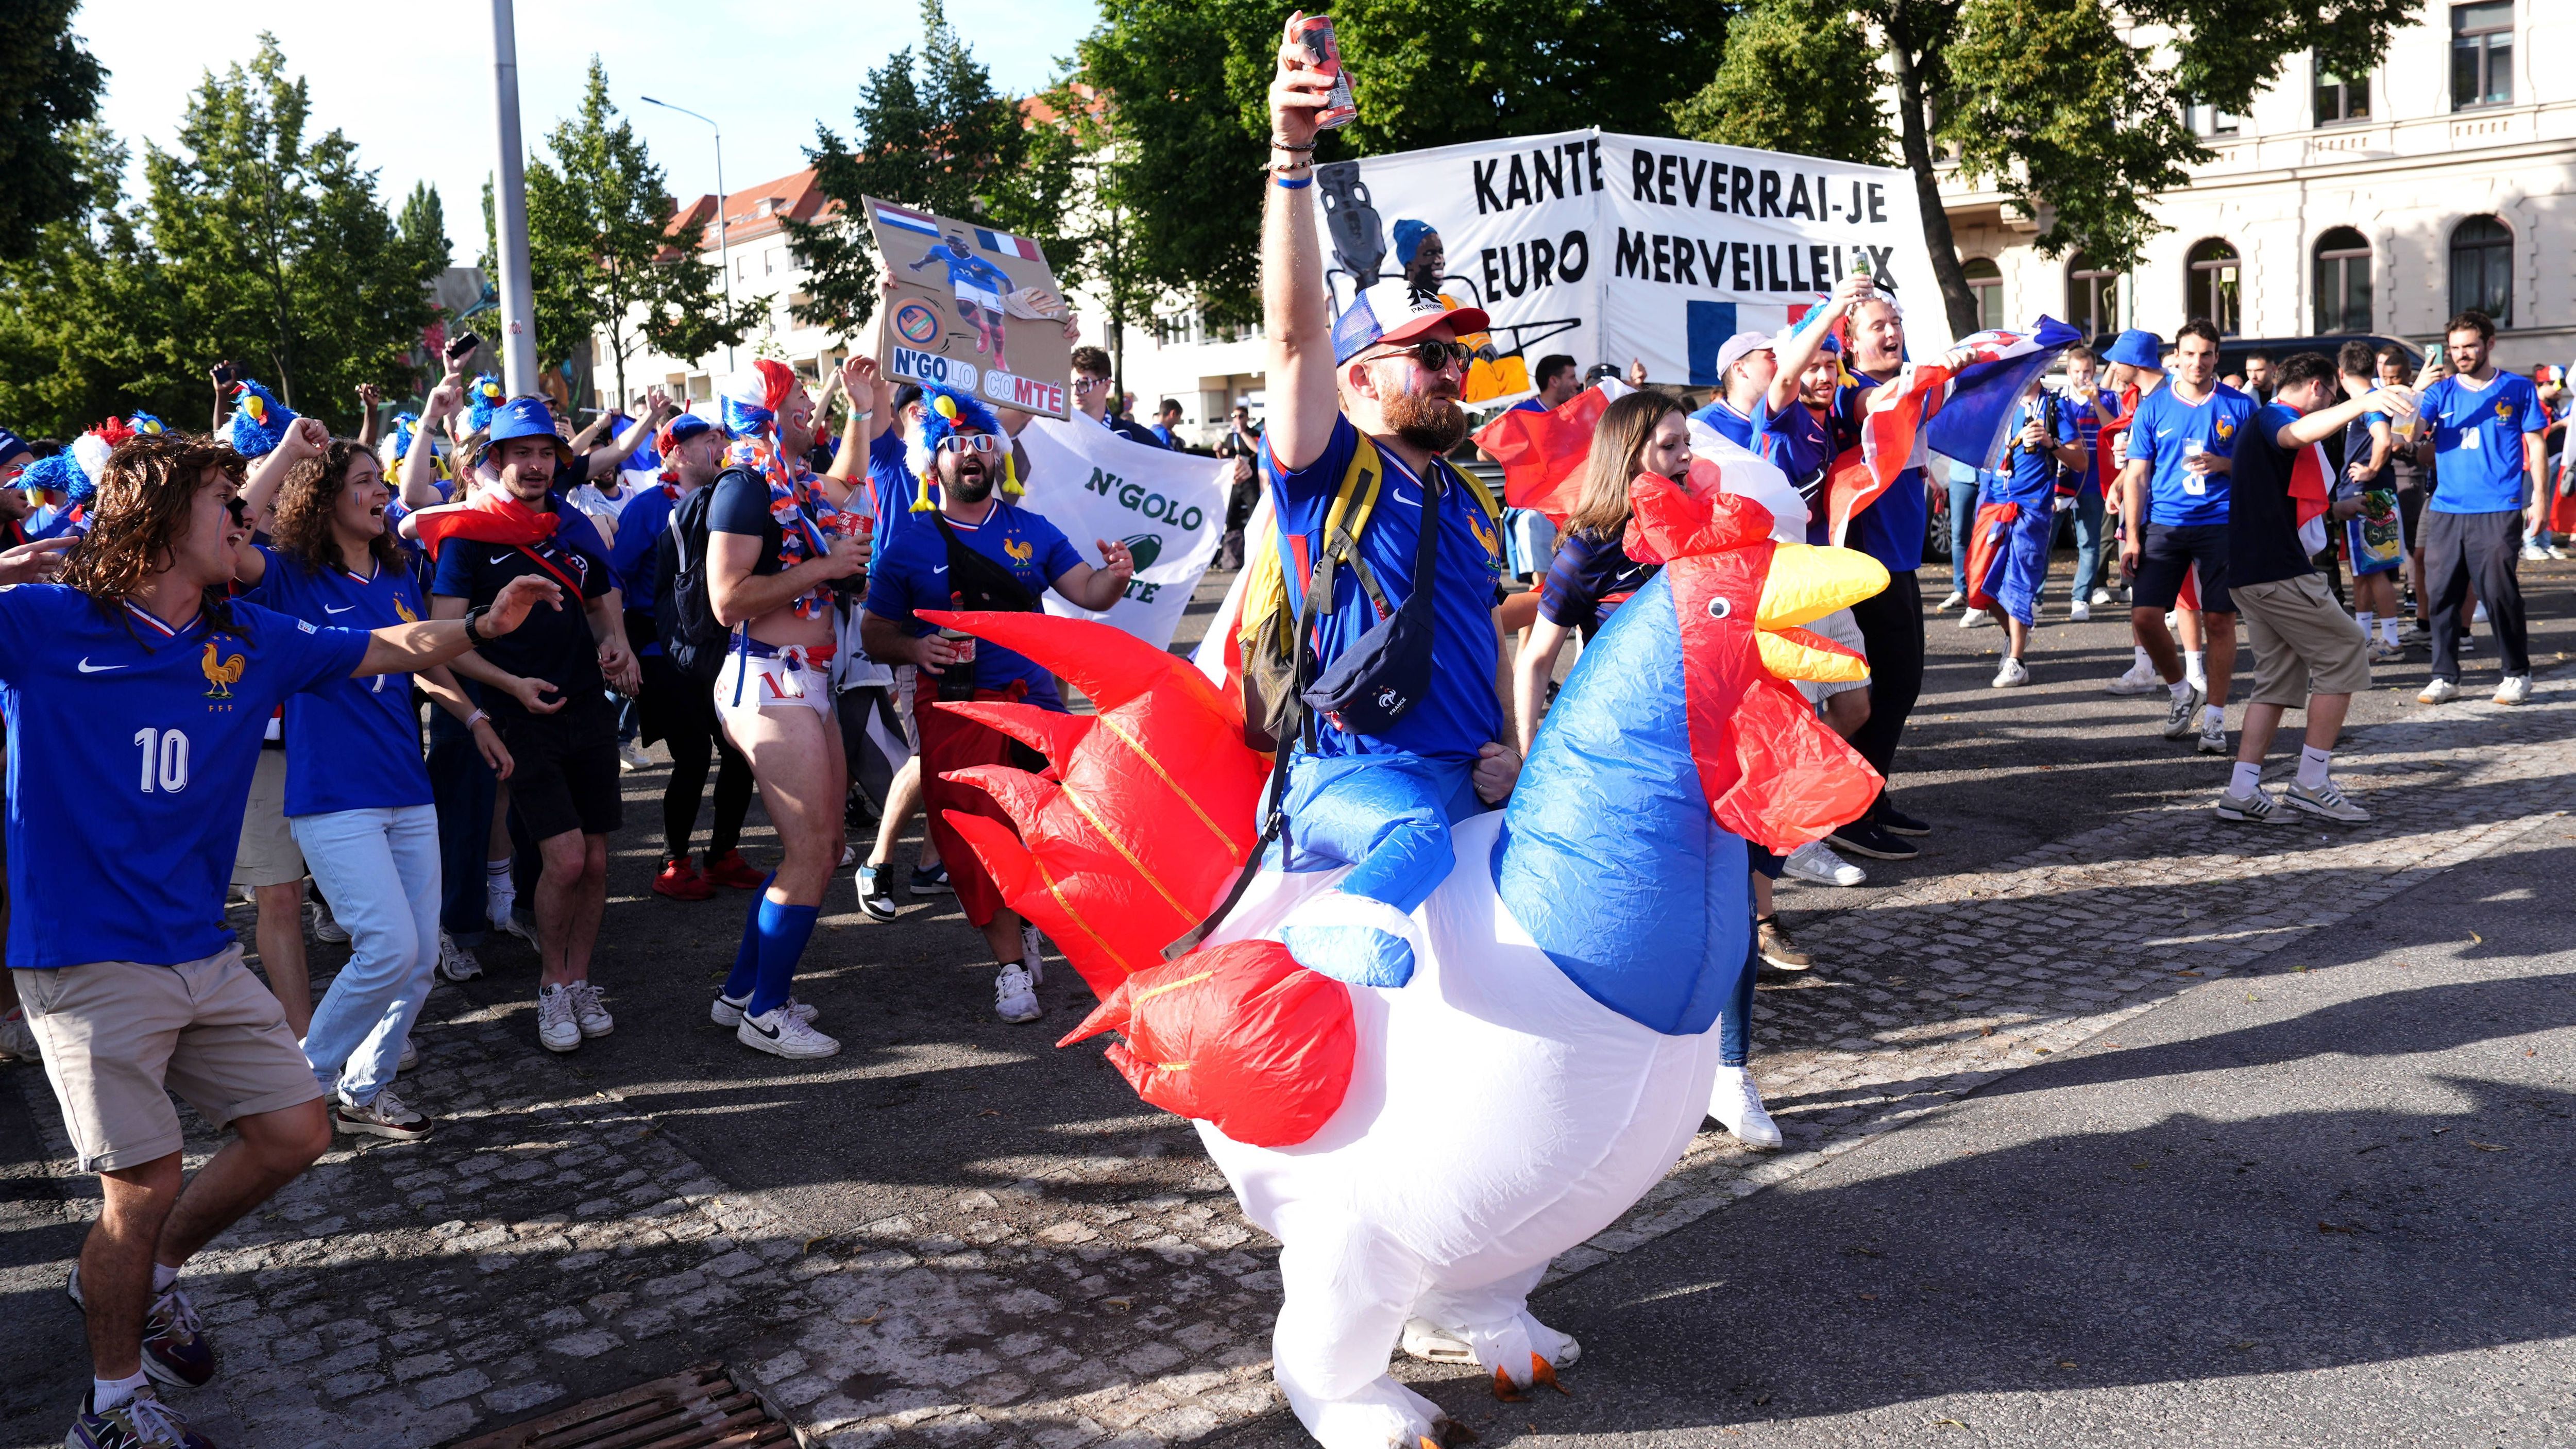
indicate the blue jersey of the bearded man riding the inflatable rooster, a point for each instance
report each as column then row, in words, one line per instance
column 1462, row 710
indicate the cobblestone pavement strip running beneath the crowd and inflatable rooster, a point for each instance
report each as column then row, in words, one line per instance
column 550, row 1241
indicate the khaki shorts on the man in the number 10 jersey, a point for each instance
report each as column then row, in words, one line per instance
column 120, row 1038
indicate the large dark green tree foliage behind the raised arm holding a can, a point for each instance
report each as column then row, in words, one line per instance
column 1191, row 79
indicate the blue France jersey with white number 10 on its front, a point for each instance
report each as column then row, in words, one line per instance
column 130, row 767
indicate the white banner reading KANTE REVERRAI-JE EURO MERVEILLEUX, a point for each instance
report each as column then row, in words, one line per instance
column 1616, row 249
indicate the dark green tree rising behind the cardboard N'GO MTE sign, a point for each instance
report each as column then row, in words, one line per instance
column 931, row 133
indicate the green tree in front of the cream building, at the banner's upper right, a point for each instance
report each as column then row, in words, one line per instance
column 2072, row 110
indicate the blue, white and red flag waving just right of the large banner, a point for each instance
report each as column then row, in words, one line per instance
column 1959, row 414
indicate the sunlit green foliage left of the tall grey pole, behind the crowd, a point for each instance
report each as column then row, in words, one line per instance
column 251, row 244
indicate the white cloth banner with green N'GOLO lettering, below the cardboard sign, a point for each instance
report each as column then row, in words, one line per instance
column 1168, row 509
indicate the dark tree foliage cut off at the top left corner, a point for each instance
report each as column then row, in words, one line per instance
column 48, row 86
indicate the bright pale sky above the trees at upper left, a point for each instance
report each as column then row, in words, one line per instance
column 419, row 99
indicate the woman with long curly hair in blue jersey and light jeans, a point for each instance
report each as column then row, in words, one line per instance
column 357, row 788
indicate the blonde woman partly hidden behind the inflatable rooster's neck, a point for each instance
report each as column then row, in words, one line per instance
column 1591, row 576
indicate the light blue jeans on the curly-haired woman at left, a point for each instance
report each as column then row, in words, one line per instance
column 380, row 870
